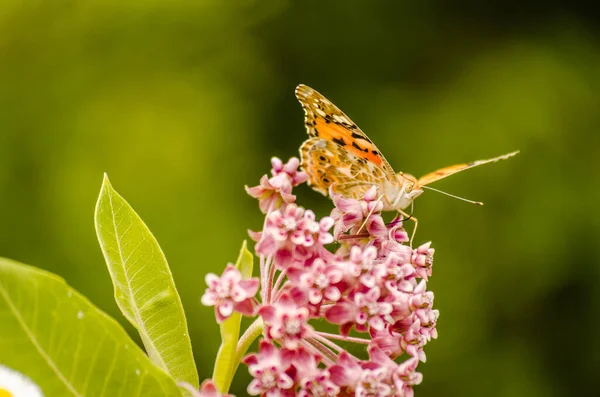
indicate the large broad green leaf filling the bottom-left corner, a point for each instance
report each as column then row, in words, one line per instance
column 66, row 345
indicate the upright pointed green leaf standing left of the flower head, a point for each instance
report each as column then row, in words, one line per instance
column 144, row 287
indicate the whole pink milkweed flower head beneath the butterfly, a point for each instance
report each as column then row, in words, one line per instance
column 350, row 269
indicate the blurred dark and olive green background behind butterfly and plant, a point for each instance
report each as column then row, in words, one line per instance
column 183, row 103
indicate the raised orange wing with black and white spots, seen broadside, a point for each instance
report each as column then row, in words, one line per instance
column 337, row 150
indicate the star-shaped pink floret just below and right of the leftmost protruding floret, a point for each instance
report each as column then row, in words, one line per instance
column 287, row 320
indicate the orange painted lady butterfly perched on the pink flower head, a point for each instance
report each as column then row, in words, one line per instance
column 338, row 154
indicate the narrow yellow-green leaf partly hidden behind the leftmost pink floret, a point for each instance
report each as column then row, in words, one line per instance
column 225, row 362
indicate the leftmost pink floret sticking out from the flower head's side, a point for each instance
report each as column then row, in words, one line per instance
column 229, row 292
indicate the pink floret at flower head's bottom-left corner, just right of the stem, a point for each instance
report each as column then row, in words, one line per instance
column 269, row 371
